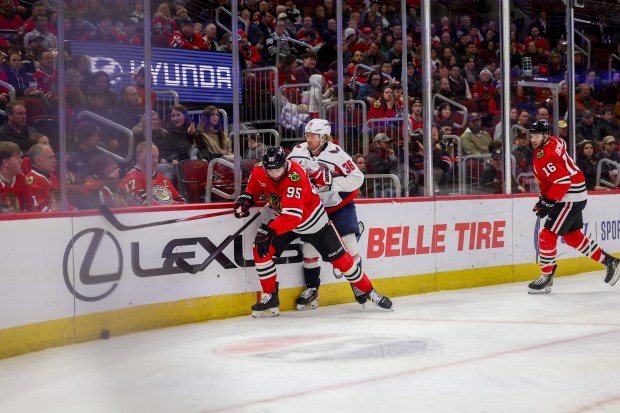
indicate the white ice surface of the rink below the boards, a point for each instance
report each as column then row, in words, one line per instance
column 492, row 349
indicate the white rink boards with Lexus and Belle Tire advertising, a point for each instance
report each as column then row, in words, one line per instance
column 83, row 265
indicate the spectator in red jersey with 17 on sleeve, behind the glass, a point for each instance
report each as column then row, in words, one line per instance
column 134, row 182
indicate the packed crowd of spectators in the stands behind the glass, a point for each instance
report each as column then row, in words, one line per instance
column 298, row 42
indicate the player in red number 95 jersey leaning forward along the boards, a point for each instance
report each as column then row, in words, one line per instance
column 299, row 214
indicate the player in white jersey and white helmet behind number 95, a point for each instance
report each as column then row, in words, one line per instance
column 336, row 178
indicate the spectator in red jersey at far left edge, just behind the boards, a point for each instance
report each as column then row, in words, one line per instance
column 13, row 188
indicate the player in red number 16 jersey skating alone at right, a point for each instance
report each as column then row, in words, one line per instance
column 563, row 197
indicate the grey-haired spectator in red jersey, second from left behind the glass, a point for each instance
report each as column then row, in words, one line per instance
column 43, row 184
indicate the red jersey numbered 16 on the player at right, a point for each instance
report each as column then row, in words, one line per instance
column 558, row 177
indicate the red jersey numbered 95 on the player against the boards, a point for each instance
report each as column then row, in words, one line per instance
column 296, row 205
